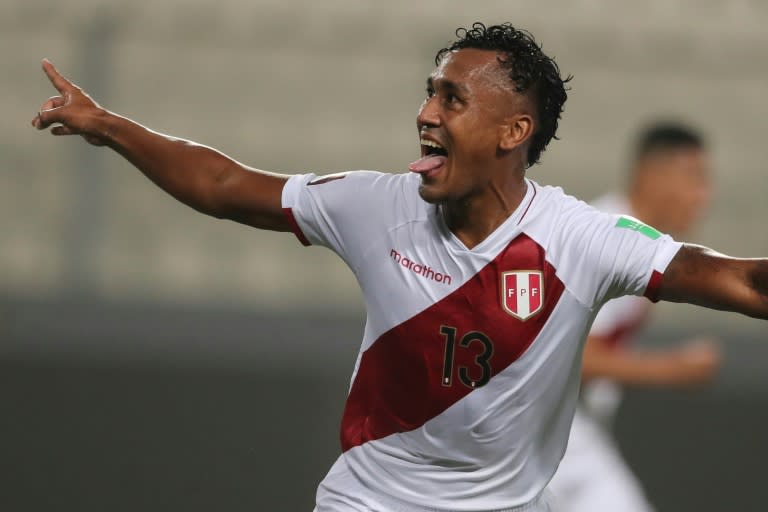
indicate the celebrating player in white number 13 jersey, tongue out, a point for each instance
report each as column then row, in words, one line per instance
column 480, row 284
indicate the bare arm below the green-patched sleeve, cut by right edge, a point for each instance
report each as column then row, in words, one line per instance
column 698, row 275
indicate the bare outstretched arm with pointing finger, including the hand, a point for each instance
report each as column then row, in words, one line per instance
column 198, row 176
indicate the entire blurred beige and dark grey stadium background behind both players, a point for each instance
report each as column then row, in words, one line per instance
column 155, row 359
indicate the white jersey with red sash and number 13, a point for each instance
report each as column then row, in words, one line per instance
column 465, row 385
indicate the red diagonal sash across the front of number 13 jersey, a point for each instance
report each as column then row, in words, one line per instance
column 406, row 377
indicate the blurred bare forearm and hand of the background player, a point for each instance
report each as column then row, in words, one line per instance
column 696, row 362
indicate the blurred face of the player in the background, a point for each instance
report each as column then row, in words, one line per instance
column 678, row 182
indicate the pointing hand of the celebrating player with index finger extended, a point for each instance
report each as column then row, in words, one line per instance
column 72, row 112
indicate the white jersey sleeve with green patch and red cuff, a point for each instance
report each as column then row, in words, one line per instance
column 606, row 256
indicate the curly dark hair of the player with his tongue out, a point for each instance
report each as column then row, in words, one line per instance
column 530, row 70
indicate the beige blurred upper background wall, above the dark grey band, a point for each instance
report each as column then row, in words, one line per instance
column 334, row 85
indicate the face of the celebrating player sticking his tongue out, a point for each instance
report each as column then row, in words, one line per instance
column 469, row 123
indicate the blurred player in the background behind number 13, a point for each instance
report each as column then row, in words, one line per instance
column 669, row 187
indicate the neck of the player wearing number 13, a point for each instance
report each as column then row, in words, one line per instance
column 473, row 218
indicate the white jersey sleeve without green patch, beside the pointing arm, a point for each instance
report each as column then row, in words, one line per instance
column 342, row 212
